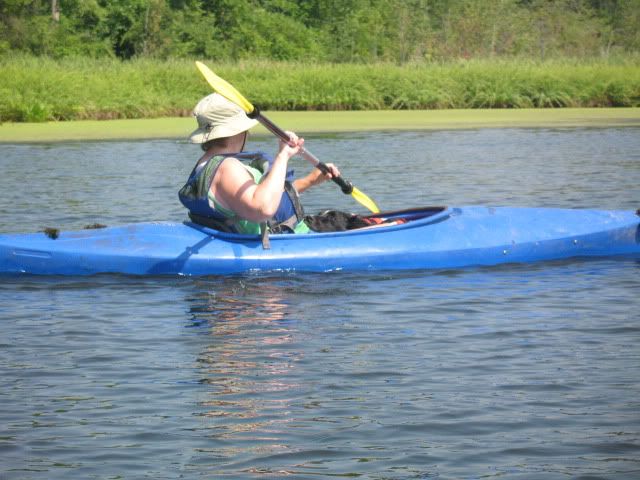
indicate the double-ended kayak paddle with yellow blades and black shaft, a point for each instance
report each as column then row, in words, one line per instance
column 225, row 89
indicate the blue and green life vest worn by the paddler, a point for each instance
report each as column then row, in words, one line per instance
column 204, row 209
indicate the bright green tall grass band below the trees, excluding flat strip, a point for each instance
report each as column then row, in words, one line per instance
column 41, row 89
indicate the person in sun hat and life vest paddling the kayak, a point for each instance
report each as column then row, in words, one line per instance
column 236, row 191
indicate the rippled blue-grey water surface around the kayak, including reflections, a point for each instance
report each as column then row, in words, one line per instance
column 529, row 371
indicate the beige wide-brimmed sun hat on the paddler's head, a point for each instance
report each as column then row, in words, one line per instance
column 218, row 117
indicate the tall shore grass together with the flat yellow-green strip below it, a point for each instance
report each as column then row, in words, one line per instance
column 45, row 100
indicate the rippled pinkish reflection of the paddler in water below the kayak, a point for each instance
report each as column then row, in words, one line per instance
column 249, row 365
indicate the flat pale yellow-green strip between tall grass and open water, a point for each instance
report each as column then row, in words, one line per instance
column 328, row 122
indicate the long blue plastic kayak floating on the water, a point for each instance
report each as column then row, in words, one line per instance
column 421, row 238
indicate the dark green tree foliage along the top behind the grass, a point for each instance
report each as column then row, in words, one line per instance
column 320, row 30
